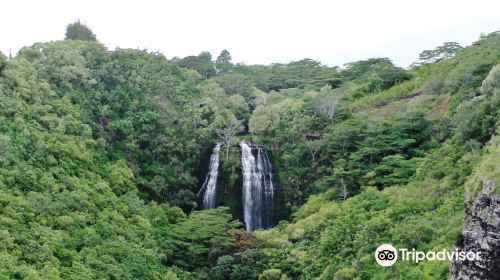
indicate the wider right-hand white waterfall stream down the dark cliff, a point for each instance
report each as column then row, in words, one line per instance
column 258, row 187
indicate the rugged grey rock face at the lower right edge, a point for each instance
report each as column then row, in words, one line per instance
column 481, row 233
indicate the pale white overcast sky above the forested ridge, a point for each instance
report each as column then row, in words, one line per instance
column 255, row 31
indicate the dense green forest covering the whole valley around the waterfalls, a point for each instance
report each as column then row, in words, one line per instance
column 103, row 154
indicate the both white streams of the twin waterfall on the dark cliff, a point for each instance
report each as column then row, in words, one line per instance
column 257, row 189
